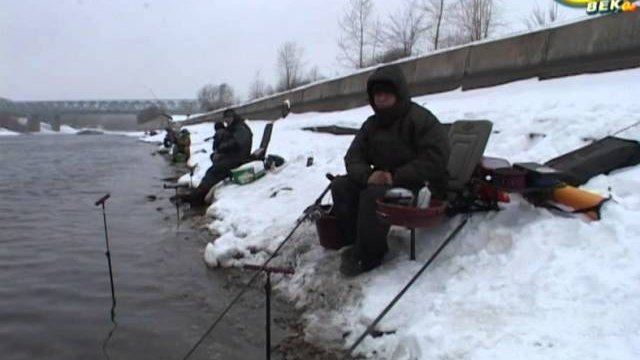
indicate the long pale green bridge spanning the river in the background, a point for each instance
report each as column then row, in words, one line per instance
column 54, row 112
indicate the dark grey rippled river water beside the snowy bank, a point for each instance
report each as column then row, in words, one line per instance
column 55, row 297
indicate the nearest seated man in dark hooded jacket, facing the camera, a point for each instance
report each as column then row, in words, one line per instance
column 401, row 145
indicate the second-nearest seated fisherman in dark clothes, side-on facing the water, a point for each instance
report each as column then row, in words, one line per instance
column 233, row 149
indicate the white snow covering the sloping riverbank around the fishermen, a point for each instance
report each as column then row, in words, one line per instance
column 520, row 283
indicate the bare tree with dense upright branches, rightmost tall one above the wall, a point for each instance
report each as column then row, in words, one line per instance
column 475, row 19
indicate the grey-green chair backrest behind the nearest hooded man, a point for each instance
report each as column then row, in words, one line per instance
column 468, row 139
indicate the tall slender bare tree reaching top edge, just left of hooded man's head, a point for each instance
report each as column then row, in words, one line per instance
column 356, row 26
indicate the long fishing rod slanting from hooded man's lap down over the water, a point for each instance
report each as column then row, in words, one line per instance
column 307, row 213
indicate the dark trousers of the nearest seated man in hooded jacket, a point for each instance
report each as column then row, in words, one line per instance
column 354, row 206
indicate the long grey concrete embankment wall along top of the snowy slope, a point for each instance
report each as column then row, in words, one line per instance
column 600, row 44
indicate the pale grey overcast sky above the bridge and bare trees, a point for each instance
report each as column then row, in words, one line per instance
column 123, row 49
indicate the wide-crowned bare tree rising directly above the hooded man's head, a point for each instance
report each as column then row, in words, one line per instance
column 406, row 29
